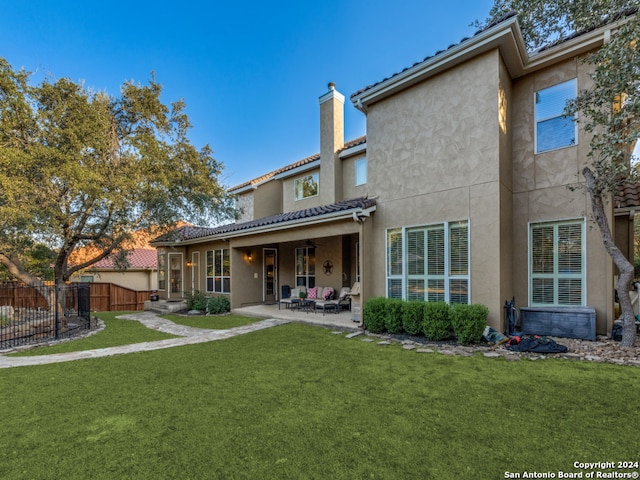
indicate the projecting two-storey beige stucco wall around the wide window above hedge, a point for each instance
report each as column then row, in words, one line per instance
column 434, row 155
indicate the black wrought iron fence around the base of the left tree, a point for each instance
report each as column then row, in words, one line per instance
column 37, row 314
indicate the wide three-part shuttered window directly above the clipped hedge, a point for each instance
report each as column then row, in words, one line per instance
column 429, row 263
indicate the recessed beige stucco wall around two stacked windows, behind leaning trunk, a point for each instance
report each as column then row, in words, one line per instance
column 541, row 193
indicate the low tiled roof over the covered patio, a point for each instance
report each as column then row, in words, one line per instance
column 191, row 233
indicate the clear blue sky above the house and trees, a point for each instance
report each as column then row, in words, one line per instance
column 250, row 72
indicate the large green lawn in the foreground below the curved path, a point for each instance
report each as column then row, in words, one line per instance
column 296, row 402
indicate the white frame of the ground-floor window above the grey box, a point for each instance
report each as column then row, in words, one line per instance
column 556, row 276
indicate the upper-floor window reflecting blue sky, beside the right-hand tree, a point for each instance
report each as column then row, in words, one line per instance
column 553, row 128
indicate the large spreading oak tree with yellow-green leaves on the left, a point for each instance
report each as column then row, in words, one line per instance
column 82, row 168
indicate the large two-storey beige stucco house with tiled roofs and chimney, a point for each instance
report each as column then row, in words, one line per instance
column 459, row 192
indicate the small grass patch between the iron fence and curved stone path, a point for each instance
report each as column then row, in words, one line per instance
column 117, row 332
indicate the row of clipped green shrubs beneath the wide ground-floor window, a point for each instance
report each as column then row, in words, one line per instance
column 435, row 320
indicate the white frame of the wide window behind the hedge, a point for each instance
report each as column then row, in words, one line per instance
column 447, row 277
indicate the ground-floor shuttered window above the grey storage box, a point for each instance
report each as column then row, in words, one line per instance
column 557, row 263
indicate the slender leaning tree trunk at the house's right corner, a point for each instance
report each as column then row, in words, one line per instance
column 624, row 266
